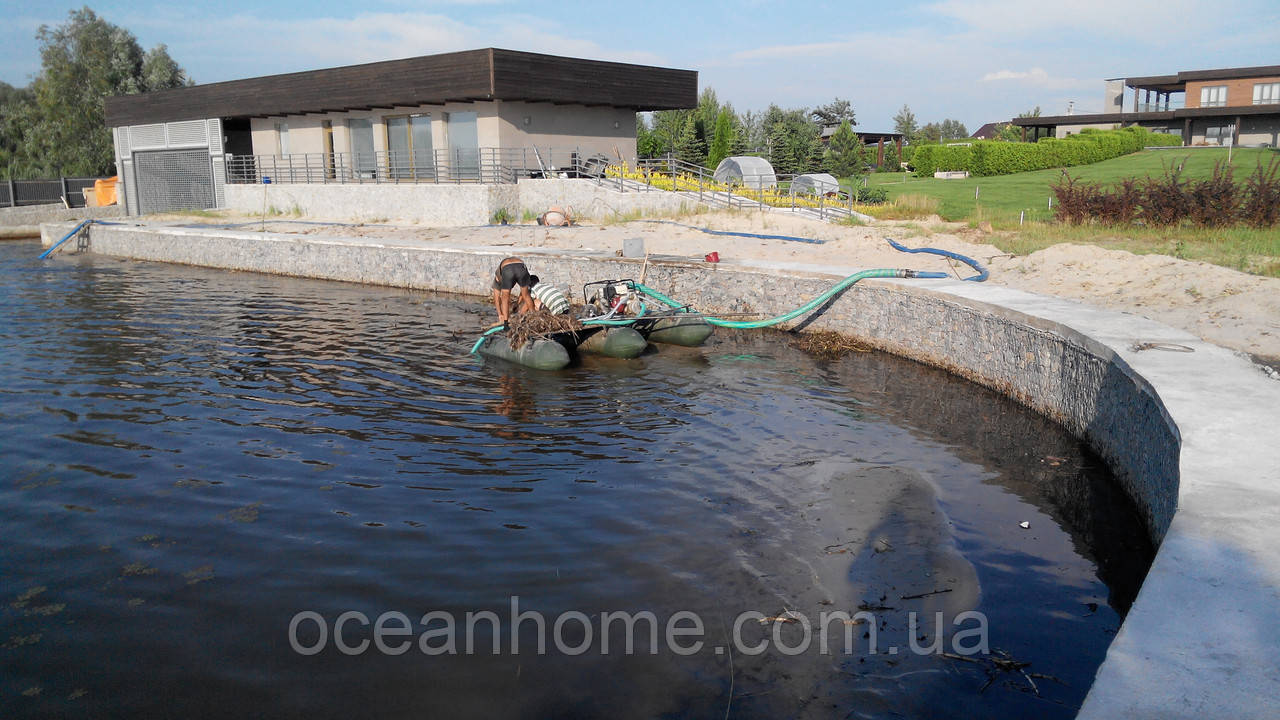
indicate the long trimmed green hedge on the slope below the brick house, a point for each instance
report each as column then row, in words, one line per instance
column 986, row 158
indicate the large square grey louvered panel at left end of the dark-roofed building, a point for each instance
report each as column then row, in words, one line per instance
column 175, row 180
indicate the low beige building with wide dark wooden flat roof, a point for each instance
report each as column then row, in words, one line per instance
column 474, row 117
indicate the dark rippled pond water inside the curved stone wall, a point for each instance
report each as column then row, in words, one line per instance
column 193, row 458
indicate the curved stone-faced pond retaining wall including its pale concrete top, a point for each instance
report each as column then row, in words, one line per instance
column 1185, row 423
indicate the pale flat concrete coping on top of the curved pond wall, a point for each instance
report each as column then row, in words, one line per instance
column 1203, row 635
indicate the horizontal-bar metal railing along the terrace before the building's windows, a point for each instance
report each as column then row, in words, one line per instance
column 455, row 166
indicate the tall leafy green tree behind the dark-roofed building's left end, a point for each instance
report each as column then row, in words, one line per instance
column 62, row 130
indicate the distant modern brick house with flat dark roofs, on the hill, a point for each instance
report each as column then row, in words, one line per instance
column 1231, row 106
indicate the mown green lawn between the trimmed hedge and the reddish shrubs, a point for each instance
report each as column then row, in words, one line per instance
column 1002, row 199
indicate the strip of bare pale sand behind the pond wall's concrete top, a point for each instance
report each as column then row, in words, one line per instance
column 1224, row 307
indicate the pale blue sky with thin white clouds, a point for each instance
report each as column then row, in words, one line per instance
column 972, row 61
